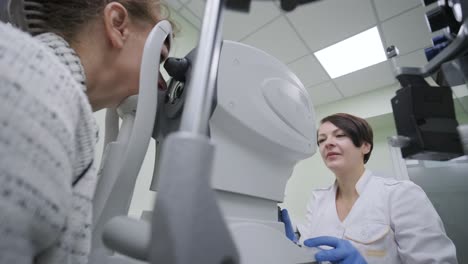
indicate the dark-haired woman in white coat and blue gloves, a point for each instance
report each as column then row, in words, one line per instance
column 364, row 218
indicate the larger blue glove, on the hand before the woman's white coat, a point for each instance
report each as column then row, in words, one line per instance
column 343, row 253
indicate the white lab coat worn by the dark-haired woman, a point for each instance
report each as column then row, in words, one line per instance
column 391, row 222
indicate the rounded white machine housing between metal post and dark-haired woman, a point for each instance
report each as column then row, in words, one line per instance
column 262, row 125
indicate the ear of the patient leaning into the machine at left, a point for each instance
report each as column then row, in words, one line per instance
column 116, row 23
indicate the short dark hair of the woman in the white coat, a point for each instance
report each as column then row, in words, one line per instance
column 356, row 128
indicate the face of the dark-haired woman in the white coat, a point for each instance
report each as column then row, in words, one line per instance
column 337, row 149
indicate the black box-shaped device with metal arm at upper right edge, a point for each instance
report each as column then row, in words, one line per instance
column 424, row 114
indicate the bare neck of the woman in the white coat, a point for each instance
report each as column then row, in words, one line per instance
column 347, row 182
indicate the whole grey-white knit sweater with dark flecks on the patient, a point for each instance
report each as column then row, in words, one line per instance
column 47, row 138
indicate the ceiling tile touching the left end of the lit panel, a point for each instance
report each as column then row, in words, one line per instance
column 309, row 70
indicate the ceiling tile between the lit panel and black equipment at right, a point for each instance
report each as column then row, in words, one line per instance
column 408, row 31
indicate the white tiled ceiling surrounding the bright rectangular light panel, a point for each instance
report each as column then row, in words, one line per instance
column 293, row 37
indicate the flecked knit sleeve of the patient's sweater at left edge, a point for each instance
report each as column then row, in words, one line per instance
column 38, row 116
